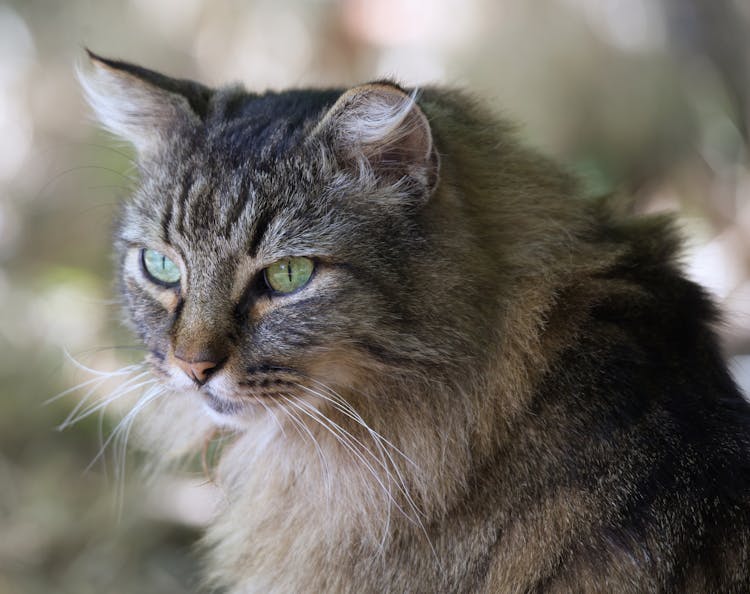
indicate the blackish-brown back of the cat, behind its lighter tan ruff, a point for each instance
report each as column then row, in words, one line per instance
column 638, row 422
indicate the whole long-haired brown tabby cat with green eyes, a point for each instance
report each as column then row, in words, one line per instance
column 443, row 369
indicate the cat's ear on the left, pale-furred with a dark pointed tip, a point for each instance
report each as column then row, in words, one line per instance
column 141, row 106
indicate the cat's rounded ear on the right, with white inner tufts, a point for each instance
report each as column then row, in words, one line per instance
column 381, row 126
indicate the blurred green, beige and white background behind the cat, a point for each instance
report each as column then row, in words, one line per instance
column 650, row 97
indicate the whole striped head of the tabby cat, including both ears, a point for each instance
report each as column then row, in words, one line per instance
column 274, row 246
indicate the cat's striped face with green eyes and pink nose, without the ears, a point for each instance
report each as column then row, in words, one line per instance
column 248, row 284
